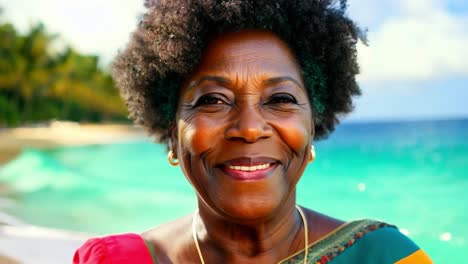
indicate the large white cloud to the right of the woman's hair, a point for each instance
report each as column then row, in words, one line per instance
column 422, row 42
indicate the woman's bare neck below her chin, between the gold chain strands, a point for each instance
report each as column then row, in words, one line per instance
column 269, row 240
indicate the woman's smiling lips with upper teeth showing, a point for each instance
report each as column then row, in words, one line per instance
column 249, row 169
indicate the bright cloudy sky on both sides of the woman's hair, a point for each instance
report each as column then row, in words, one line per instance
column 415, row 67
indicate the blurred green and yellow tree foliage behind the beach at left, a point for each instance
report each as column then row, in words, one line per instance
column 39, row 85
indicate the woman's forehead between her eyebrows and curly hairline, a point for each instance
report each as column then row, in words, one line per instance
column 249, row 48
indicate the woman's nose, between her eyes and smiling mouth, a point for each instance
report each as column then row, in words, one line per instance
column 248, row 125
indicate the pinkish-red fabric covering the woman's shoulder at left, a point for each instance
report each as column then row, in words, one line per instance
column 117, row 249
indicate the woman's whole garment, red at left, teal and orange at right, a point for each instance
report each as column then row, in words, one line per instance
column 362, row 242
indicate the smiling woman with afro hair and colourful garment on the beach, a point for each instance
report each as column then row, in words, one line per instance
column 239, row 90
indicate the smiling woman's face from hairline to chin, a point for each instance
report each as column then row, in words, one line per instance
column 245, row 125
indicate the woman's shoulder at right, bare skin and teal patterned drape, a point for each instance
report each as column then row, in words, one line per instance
column 362, row 241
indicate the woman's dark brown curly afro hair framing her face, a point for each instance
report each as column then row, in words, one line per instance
column 170, row 38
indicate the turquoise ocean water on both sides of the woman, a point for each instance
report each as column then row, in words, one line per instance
column 411, row 174
